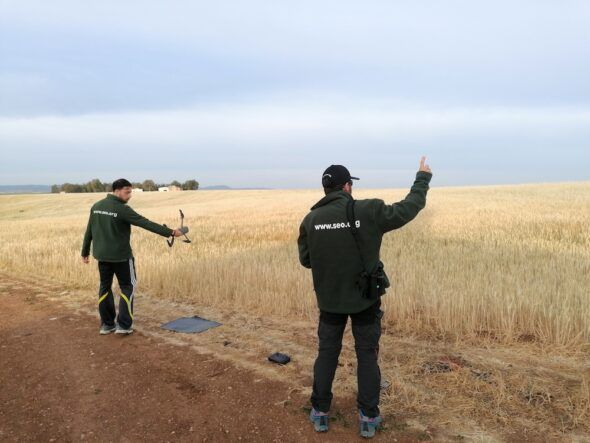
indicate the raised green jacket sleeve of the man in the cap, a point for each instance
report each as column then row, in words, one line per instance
column 396, row 215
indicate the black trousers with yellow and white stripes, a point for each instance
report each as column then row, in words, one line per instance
column 125, row 272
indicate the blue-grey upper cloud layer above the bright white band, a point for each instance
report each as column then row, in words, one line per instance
column 114, row 56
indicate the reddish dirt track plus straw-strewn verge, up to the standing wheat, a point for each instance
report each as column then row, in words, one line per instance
column 61, row 381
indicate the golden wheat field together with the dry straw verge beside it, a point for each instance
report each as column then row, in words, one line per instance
column 493, row 280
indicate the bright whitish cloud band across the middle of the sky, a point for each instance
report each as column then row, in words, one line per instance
column 271, row 122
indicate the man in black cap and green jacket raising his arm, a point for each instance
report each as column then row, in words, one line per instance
column 341, row 260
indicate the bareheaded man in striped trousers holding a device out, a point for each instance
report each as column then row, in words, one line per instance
column 109, row 231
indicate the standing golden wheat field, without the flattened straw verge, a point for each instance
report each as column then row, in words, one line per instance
column 508, row 263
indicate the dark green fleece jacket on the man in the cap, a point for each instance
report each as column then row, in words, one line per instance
column 327, row 246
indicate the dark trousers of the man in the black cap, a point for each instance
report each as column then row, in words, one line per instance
column 366, row 329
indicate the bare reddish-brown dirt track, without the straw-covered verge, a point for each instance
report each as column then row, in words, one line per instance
column 61, row 381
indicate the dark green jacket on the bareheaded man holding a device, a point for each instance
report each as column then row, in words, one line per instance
column 109, row 229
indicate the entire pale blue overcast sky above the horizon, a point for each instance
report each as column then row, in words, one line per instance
column 270, row 93
